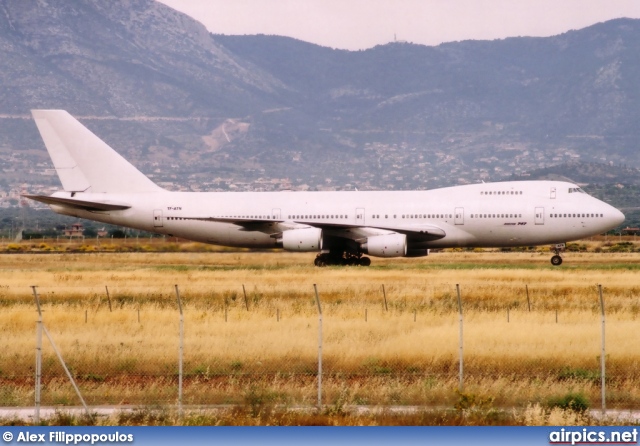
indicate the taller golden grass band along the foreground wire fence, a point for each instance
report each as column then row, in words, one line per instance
column 244, row 348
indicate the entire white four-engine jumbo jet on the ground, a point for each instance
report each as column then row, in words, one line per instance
column 101, row 185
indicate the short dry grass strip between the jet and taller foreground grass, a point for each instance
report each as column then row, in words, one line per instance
column 487, row 279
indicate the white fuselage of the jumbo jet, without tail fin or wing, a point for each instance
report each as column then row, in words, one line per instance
column 482, row 215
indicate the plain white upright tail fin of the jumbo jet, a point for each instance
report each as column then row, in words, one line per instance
column 83, row 161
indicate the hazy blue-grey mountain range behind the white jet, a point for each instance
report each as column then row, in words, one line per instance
column 195, row 109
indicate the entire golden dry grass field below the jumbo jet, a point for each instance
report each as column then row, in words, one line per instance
column 531, row 331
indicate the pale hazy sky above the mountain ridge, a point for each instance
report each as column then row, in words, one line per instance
column 360, row 24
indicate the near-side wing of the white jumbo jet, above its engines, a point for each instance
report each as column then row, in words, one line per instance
column 420, row 232
